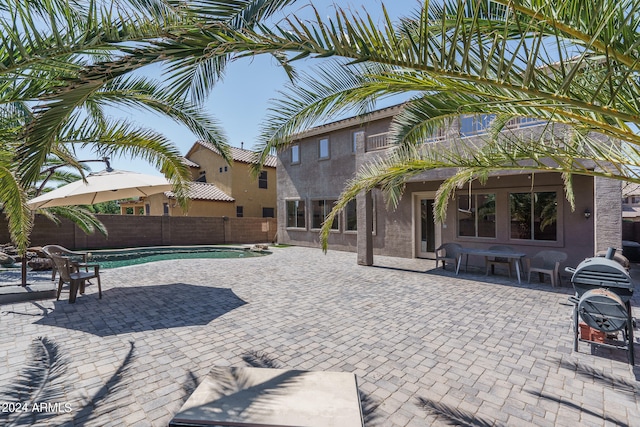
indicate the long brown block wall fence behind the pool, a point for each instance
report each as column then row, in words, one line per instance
column 132, row 231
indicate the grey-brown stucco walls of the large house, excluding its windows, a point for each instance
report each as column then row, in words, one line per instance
column 394, row 233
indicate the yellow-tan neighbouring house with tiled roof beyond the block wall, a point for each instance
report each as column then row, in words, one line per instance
column 220, row 189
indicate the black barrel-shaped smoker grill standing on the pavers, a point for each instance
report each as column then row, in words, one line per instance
column 603, row 299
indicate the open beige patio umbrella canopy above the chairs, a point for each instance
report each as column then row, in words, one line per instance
column 102, row 187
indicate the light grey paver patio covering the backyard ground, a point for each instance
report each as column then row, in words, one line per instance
column 428, row 347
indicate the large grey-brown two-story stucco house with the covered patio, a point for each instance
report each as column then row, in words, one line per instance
column 526, row 211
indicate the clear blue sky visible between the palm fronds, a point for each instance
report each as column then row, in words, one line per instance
column 240, row 102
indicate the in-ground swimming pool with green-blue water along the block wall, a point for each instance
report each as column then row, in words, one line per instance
column 112, row 258
